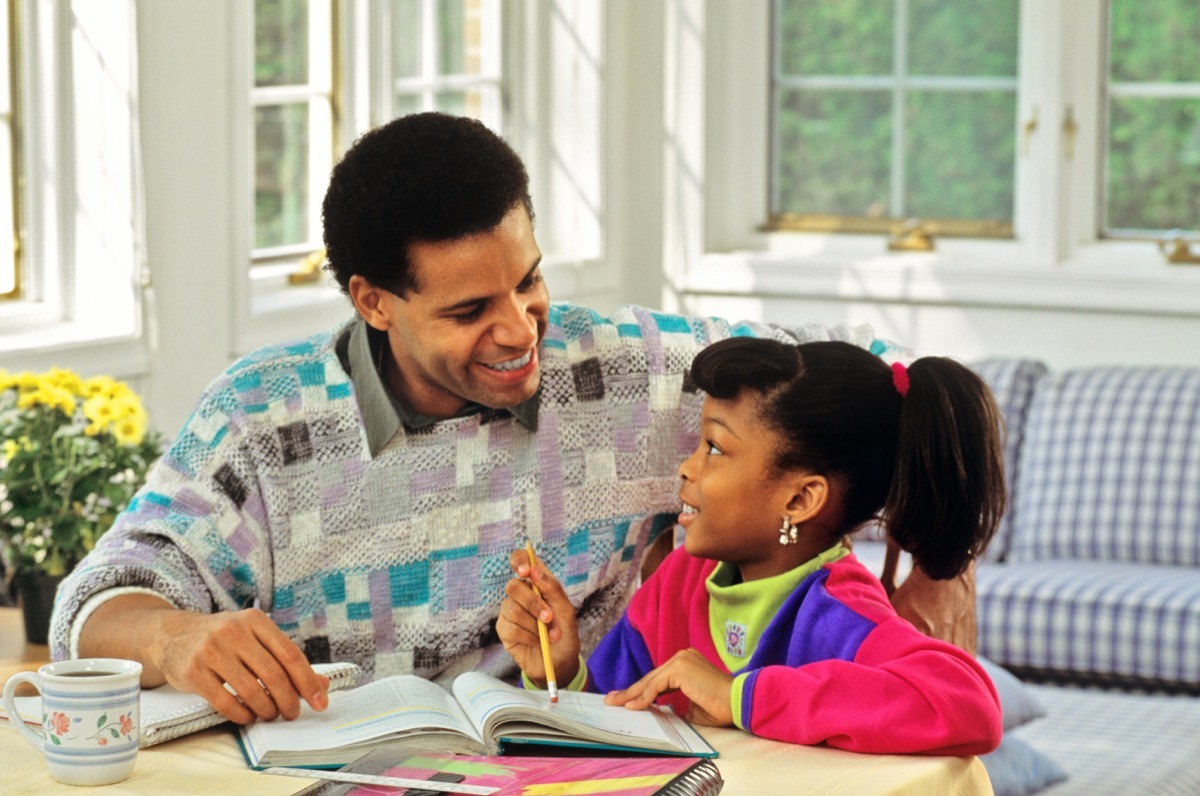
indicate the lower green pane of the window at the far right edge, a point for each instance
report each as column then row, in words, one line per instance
column 1154, row 165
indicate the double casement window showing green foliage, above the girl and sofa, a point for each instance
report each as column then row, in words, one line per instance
column 958, row 113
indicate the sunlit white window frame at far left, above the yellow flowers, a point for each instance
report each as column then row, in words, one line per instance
column 83, row 284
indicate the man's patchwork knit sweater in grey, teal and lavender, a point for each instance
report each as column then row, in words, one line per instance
column 269, row 496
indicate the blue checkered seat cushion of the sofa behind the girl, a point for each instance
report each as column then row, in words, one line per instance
column 1121, row 620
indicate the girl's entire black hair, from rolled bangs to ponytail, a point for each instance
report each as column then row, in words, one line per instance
column 929, row 464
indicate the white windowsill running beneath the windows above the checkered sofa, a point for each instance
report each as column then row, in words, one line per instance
column 1102, row 278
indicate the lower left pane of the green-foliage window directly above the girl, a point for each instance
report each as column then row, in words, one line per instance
column 836, row 153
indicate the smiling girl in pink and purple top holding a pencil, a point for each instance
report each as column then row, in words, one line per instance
column 765, row 620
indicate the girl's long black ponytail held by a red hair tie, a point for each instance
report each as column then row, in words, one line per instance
column 947, row 489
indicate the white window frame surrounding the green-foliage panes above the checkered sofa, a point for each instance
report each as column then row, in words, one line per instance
column 1057, row 260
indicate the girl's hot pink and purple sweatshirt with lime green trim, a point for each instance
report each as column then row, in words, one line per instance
column 835, row 666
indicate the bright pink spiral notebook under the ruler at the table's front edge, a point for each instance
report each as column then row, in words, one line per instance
column 509, row 776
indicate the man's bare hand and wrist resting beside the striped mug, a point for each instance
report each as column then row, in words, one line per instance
column 199, row 654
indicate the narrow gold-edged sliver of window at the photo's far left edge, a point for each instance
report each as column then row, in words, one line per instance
column 10, row 182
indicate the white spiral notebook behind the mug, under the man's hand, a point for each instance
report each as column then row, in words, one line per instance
column 169, row 714
